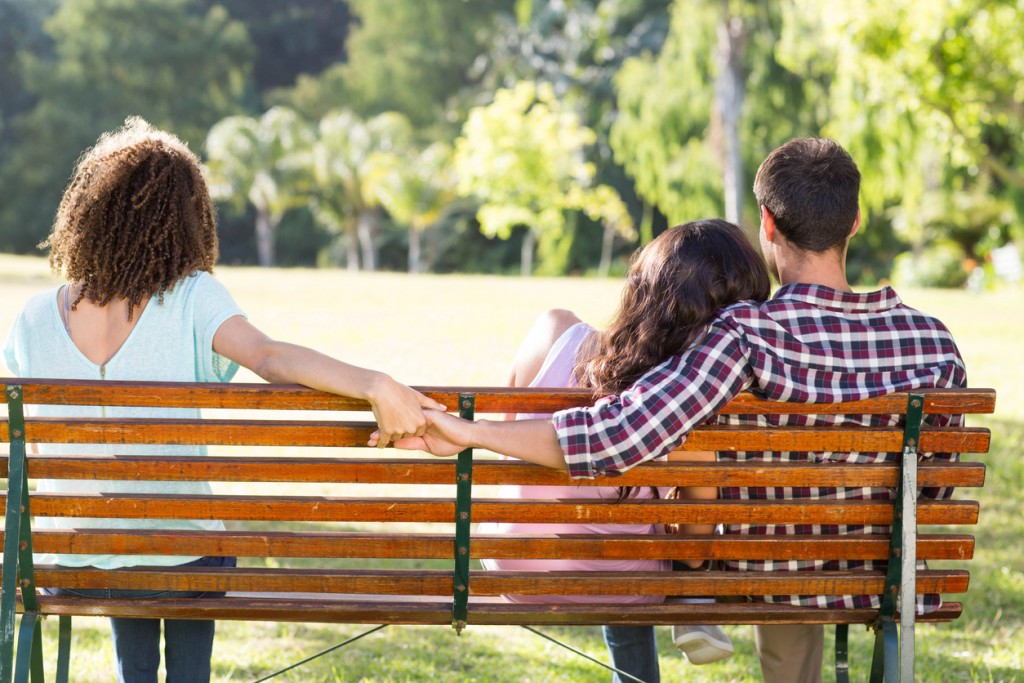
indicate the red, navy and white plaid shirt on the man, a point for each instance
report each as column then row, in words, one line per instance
column 808, row 345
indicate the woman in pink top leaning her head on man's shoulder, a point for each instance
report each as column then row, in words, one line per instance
column 674, row 288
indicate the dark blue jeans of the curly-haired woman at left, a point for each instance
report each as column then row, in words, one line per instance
column 188, row 644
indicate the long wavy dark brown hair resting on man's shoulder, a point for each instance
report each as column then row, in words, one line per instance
column 674, row 289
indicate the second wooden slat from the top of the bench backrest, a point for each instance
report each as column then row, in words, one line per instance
column 337, row 435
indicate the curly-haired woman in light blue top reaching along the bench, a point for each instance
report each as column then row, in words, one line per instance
column 136, row 238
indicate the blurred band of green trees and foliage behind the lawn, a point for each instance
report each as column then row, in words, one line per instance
column 525, row 136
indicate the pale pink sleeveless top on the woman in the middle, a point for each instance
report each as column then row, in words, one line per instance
column 558, row 372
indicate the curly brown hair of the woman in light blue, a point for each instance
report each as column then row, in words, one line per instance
column 136, row 219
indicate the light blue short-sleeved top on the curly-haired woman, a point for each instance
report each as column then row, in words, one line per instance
column 173, row 341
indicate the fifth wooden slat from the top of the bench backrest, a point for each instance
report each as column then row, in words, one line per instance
column 440, row 546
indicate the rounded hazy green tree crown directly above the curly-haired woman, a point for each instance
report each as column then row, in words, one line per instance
column 164, row 60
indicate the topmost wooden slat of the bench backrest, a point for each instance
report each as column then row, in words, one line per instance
column 489, row 400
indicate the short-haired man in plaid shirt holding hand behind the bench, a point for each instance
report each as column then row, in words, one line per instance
column 816, row 341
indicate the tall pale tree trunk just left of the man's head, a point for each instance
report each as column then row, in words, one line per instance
column 730, row 94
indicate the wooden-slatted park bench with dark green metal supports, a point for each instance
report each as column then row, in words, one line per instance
column 429, row 577
